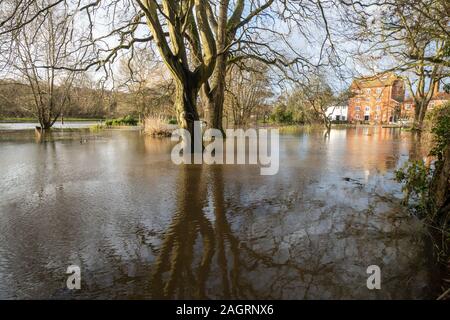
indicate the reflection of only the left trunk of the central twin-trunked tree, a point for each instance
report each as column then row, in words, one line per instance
column 176, row 255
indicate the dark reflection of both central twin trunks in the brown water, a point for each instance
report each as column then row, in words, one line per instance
column 177, row 272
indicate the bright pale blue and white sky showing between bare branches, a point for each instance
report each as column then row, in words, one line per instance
column 306, row 39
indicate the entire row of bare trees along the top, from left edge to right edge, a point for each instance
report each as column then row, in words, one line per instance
column 208, row 49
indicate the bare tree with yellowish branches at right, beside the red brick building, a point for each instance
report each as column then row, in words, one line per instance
column 408, row 37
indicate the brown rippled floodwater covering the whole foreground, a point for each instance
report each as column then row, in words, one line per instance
column 139, row 226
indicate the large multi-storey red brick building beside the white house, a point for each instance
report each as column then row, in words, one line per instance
column 376, row 99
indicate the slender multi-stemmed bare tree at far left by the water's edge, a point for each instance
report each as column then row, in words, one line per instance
column 38, row 49
